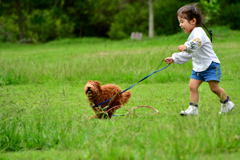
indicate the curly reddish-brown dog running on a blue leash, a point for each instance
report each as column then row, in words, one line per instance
column 97, row 94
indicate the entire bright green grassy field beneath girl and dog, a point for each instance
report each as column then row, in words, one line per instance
column 44, row 111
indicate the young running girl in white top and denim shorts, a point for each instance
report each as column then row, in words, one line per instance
column 206, row 65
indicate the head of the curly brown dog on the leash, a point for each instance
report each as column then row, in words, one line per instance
column 92, row 89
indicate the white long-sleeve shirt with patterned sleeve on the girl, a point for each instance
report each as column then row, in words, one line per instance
column 199, row 49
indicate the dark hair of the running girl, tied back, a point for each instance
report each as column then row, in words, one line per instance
column 191, row 11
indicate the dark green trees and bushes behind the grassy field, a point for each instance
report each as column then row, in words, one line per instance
column 45, row 20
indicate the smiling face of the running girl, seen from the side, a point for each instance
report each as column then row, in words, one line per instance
column 186, row 25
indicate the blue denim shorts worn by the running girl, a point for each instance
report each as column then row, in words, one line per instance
column 213, row 73
